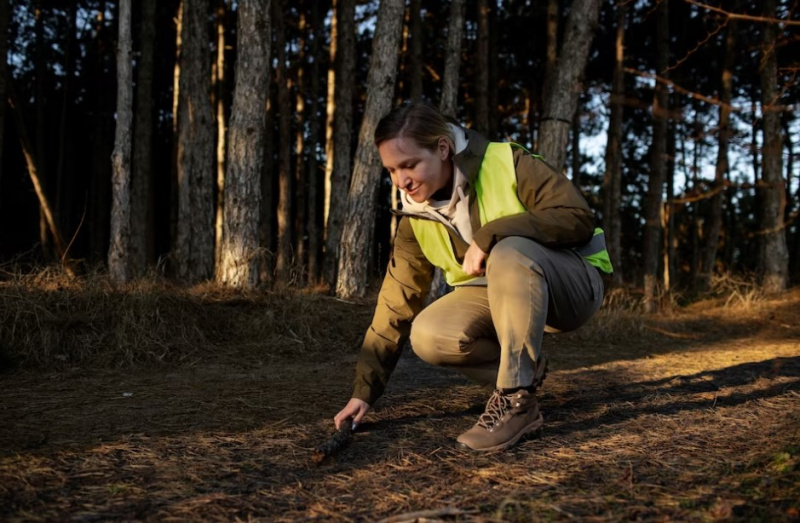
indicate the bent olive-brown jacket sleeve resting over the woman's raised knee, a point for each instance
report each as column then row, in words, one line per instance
column 557, row 213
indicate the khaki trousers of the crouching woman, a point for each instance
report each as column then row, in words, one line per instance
column 493, row 333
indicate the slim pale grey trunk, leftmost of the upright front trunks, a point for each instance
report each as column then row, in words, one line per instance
column 120, row 263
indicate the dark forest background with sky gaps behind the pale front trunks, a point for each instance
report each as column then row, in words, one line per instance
column 713, row 67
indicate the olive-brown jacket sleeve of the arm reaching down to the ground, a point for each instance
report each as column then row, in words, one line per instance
column 401, row 298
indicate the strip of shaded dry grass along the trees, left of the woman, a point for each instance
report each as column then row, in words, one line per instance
column 48, row 321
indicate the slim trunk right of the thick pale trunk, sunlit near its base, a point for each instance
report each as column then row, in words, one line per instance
column 284, row 260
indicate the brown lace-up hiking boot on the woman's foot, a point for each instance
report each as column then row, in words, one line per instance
column 507, row 418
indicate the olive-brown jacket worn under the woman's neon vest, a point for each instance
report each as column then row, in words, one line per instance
column 557, row 216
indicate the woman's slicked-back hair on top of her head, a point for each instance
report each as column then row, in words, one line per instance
column 418, row 121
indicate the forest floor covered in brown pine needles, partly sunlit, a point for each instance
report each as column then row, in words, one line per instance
column 688, row 415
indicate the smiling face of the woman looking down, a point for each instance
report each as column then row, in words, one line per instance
column 417, row 171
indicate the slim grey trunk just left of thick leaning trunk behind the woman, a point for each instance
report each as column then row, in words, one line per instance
column 342, row 132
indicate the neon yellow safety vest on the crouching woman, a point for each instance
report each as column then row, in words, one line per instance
column 497, row 197
